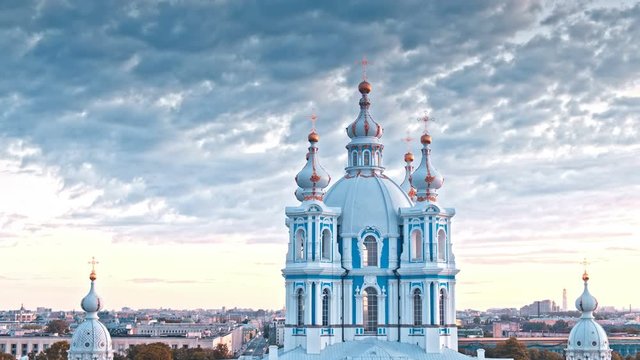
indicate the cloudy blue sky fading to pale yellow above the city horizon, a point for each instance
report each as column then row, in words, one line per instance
column 163, row 137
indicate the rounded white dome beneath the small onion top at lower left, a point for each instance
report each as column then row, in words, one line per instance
column 91, row 338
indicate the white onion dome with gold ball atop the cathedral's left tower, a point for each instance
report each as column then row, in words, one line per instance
column 313, row 178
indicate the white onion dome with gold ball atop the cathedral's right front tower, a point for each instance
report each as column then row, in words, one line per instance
column 426, row 179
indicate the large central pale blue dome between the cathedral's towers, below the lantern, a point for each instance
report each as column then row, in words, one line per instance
column 368, row 201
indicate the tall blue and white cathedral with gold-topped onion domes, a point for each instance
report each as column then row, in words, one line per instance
column 370, row 267
